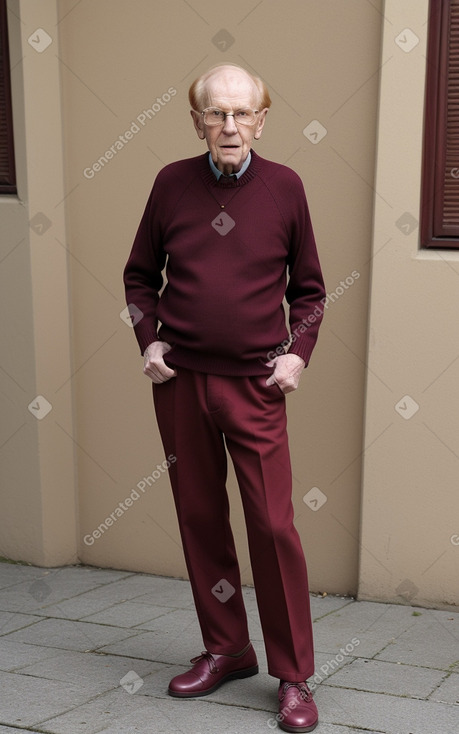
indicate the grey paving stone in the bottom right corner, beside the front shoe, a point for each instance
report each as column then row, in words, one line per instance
column 384, row 713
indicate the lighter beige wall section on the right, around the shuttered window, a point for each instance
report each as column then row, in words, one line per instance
column 410, row 515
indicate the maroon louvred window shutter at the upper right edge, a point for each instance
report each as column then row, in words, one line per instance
column 440, row 185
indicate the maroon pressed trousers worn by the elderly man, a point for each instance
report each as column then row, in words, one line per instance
column 197, row 415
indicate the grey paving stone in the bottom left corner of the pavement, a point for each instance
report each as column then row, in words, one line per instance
column 26, row 700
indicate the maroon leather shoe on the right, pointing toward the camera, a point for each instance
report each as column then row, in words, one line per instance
column 297, row 710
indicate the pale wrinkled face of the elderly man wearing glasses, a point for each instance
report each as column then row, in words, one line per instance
column 229, row 144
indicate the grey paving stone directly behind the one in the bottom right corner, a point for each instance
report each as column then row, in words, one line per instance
column 382, row 677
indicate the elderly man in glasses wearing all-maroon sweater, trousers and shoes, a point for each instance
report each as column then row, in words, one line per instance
column 232, row 226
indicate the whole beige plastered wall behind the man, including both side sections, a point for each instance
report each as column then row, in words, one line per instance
column 104, row 67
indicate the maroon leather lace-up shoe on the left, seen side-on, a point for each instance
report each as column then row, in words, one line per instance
column 209, row 671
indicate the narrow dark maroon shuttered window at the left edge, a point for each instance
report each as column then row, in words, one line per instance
column 7, row 168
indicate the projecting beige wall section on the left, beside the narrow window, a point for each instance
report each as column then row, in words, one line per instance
column 38, row 521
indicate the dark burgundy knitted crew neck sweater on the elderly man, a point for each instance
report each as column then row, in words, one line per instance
column 234, row 249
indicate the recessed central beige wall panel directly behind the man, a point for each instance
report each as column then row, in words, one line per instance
column 126, row 62
